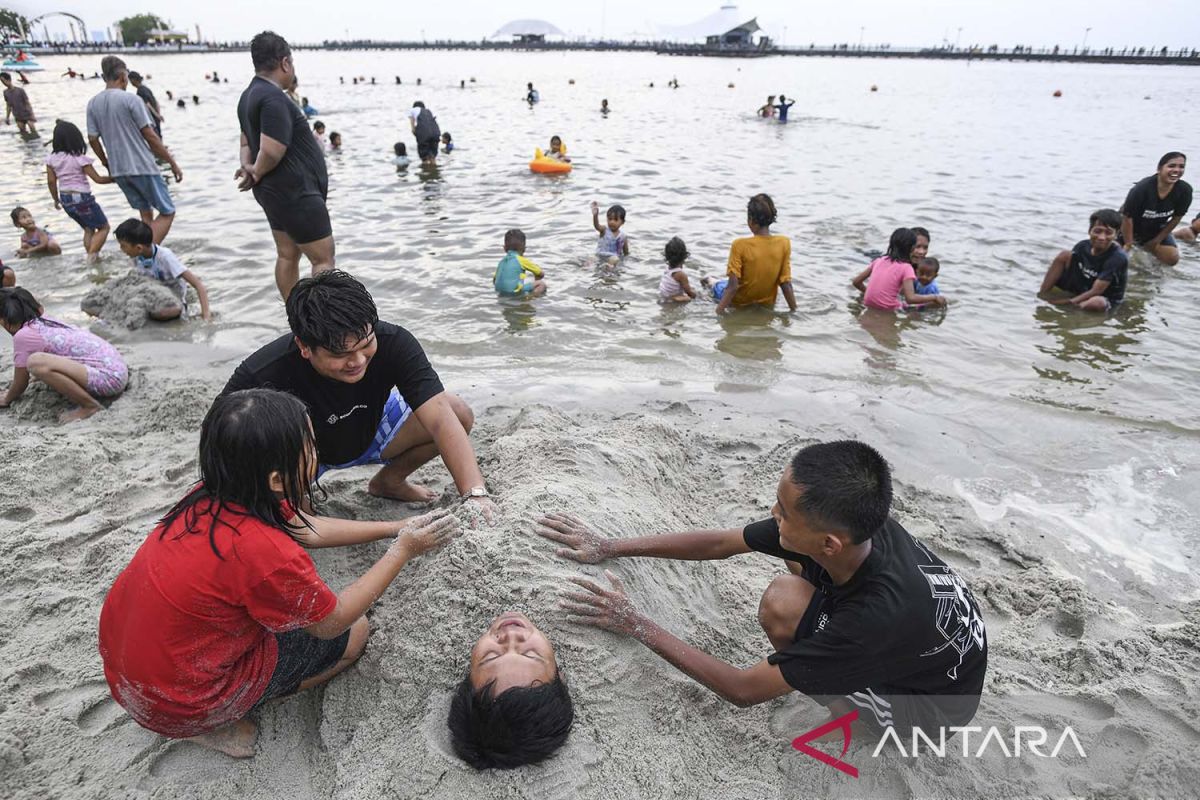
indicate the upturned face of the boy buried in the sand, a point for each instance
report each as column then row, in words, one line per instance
column 512, row 653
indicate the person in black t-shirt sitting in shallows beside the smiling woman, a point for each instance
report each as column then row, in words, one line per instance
column 1095, row 272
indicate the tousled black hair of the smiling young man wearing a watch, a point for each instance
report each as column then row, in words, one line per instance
column 328, row 309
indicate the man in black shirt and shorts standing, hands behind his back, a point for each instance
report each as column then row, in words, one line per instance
column 284, row 165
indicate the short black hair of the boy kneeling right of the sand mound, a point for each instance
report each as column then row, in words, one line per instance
column 845, row 486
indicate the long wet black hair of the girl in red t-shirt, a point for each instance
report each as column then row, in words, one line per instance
column 247, row 437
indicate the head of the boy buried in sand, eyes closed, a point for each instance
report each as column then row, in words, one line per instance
column 513, row 708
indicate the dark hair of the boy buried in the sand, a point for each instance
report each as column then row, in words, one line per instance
column 520, row 726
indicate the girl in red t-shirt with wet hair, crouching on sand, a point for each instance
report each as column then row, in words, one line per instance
column 221, row 609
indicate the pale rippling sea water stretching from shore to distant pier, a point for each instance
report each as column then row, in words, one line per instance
column 1078, row 430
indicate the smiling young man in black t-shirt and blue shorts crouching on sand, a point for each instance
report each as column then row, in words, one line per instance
column 373, row 396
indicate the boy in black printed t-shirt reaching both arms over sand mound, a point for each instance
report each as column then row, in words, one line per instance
column 867, row 621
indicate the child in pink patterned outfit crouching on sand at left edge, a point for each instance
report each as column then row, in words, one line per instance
column 76, row 364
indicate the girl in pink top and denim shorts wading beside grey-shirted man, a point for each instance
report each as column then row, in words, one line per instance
column 68, row 170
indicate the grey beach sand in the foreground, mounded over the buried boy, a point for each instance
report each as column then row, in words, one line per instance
column 643, row 730
